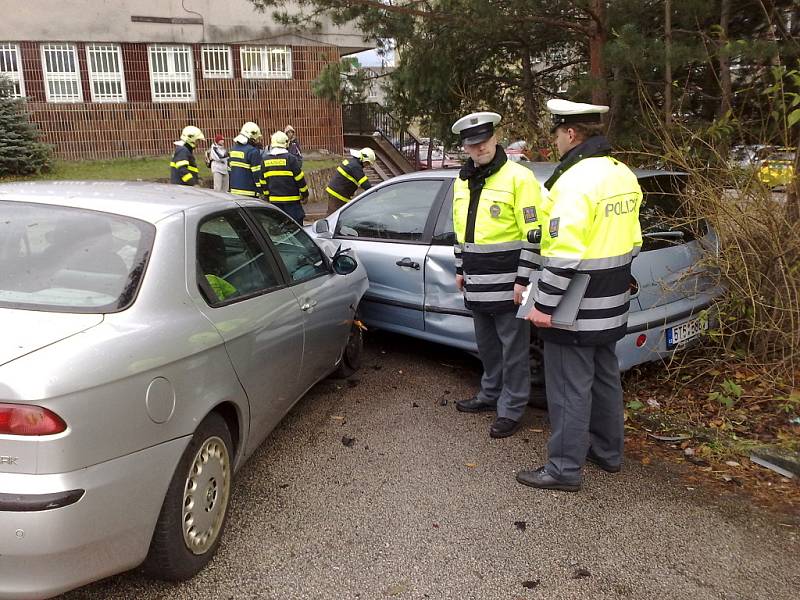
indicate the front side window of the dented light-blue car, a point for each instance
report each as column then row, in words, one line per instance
column 394, row 212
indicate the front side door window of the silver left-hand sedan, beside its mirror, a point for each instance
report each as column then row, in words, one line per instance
column 302, row 257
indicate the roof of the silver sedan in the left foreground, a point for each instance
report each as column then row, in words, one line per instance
column 146, row 201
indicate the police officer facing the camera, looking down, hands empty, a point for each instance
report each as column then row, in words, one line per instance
column 495, row 204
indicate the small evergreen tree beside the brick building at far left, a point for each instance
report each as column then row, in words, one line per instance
column 21, row 152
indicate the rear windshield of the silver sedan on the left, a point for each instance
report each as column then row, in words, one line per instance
column 63, row 259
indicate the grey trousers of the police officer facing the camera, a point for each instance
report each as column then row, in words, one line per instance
column 504, row 347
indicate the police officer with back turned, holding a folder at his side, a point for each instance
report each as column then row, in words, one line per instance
column 591, row 226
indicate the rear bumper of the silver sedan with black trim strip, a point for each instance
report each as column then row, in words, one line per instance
column 45, row 551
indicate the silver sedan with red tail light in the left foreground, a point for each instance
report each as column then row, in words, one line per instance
column 153, row 335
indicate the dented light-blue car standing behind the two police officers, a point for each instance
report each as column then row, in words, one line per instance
column 402, row 231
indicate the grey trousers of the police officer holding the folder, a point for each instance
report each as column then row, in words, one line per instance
column 584, row 399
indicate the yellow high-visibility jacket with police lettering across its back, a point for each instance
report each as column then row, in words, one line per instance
column 590, row 225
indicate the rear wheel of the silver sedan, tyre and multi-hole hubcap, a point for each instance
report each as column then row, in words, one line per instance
column 195, row 509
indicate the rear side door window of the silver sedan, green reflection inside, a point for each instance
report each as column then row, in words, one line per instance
column 231, row 262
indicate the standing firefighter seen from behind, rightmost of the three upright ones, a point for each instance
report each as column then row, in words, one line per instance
column 285, row 183
